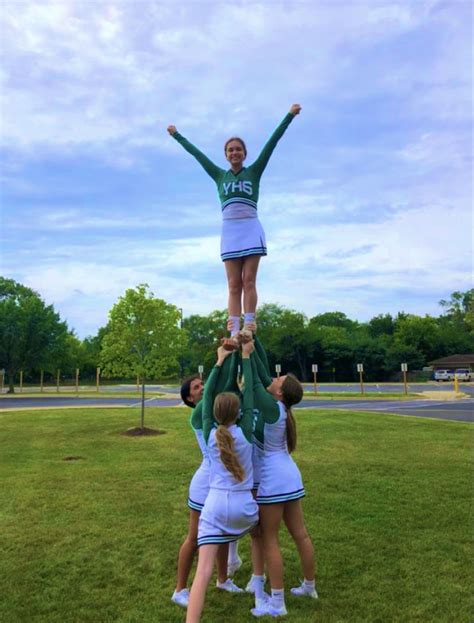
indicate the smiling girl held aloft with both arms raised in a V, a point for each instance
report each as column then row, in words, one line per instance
column 242, row 238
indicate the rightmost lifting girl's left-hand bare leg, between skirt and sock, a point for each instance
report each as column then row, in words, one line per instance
column 270, row 519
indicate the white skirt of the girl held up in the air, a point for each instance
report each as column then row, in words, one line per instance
column 242, row 237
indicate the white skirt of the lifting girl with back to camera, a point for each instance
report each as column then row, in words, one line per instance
column 226, row 516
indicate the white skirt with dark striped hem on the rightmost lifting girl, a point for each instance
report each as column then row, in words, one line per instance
column 280, row 479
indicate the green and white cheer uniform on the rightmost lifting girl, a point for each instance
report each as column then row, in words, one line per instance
column 280, row 478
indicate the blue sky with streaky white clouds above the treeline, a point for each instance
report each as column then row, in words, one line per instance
column 366, row 201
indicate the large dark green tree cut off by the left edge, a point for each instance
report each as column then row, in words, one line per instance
column 31, row 332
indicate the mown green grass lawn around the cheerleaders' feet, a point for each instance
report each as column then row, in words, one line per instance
column 96, row 539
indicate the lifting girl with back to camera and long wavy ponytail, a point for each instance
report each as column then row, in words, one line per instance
column 230, row 510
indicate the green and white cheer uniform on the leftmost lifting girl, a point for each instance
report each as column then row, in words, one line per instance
column 225, row 380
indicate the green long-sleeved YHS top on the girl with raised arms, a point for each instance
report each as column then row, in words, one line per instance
column 242, row 187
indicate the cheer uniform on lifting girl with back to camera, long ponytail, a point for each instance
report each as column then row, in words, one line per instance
column 230, row 510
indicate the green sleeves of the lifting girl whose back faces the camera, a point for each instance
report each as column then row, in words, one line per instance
column 246, row 420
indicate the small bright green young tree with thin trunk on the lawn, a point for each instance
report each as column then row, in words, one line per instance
column 143, row 338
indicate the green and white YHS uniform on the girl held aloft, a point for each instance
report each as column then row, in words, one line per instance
column 242, row 233
